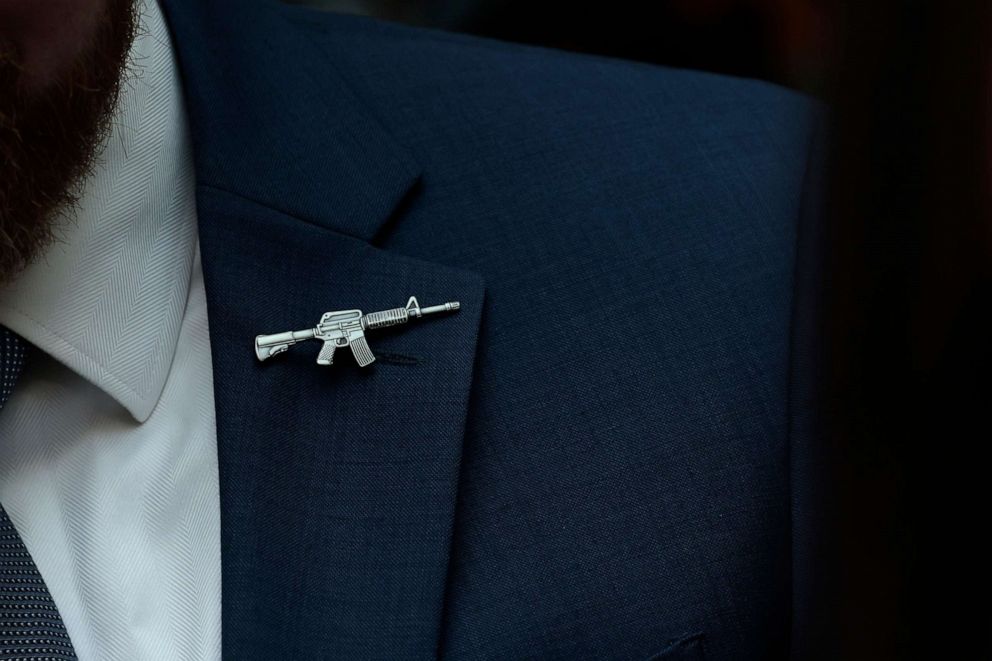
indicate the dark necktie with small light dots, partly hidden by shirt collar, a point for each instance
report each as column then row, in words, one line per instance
column 30, row 625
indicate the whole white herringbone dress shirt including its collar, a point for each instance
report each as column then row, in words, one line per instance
column 108, row 458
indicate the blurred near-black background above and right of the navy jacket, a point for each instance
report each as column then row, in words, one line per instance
column 906, row 370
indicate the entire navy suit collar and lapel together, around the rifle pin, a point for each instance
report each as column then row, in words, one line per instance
column 337, row 484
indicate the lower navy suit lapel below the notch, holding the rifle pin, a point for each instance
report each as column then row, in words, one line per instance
column 337, row 484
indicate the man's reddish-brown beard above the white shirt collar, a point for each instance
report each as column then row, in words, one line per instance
column 50, row 137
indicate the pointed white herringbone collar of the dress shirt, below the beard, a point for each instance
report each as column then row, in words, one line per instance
column 108, row 299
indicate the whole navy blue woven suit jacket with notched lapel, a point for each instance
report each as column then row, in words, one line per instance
column 602, row 455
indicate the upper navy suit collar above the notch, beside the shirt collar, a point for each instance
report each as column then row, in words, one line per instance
column 271, row 115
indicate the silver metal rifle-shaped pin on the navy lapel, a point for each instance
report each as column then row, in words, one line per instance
column 346, row 328
